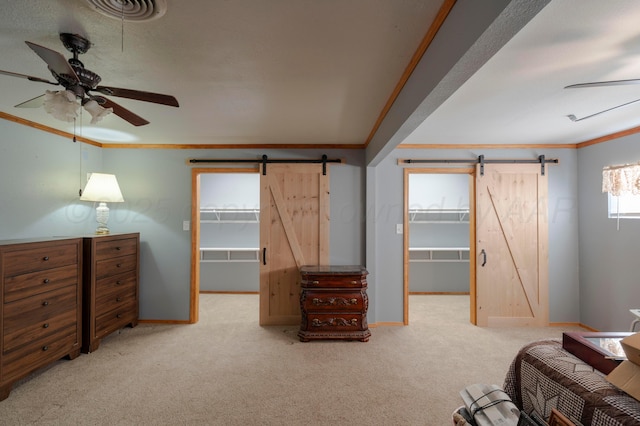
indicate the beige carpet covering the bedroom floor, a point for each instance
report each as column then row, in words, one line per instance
column 227, row 370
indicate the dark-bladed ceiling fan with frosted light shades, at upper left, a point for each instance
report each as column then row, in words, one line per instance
column 81, row 82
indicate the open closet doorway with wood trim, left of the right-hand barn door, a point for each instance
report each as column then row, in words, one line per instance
column 437, row 234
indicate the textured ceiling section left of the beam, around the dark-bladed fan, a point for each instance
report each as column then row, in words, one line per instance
column 243, row 71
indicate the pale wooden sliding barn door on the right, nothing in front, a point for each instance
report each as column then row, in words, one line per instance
column 511, row 246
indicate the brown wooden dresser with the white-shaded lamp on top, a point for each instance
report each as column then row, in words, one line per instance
column 110, row 291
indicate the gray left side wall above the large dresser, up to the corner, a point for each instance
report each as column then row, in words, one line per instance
column 40, row 177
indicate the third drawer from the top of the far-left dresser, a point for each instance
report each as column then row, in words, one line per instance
column 39, row 308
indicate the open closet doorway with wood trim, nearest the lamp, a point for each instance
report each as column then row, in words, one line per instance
column 225, row 233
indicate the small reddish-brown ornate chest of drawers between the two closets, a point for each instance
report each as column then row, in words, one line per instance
column 333, row 303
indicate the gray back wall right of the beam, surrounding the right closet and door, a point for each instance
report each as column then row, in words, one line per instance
column 385, row 210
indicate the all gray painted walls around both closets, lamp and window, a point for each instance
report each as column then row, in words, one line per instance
column 41, row 175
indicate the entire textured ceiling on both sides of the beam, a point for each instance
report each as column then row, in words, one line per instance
column 307, row 72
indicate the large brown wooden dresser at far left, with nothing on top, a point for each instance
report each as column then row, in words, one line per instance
column 40, row 306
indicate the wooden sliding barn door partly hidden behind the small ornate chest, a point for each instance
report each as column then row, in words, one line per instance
column 294, row 231
